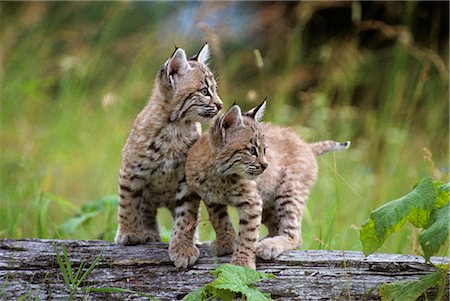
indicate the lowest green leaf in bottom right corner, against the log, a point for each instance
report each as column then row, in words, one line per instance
column 410, row 289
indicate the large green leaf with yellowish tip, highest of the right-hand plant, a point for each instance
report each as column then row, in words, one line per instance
column 414, row 207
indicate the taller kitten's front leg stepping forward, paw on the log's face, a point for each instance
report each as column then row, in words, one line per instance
column 182, row 249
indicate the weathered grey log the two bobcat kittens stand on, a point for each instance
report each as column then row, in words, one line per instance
column 29, row 266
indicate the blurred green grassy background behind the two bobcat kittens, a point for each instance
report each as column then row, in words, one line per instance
column 76, row 74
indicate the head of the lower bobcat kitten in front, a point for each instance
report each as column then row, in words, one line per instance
column 239, row 143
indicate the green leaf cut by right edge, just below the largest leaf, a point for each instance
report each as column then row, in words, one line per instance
column 436, row 233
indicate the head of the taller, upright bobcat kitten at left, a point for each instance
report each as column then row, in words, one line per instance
column 192, row 87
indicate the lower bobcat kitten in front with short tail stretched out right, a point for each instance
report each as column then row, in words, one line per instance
column 231, row 165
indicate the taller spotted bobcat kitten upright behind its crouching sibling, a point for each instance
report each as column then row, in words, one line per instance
column 153, row 158
